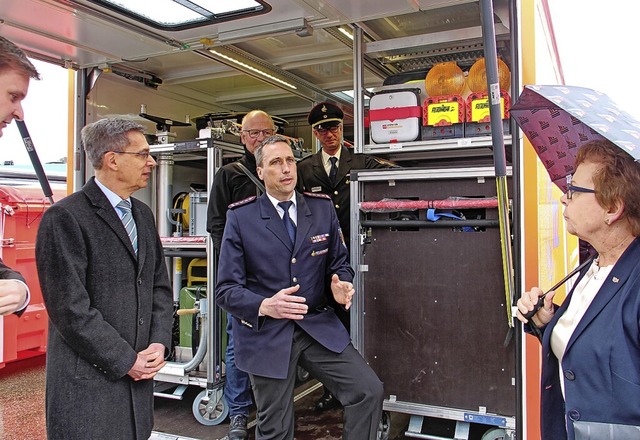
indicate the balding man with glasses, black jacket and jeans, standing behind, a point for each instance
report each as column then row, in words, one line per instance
column 232, row 183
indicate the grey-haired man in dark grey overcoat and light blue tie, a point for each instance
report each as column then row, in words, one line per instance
column 105, row 284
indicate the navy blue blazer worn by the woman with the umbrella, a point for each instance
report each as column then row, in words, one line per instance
column 601, row 365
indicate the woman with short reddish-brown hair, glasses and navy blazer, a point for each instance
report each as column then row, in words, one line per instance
column 591, row 343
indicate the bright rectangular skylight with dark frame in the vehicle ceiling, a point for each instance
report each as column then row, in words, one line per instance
column 175, row 14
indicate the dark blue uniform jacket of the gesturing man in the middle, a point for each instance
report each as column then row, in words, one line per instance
column 257, row 260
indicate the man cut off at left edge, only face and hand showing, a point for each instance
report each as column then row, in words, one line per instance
column 15, row 73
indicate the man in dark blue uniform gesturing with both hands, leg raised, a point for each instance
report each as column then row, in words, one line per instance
column 281, row 253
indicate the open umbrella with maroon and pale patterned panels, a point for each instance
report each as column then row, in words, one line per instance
column 558, row 120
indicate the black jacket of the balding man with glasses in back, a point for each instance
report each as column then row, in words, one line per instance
column 230, row 184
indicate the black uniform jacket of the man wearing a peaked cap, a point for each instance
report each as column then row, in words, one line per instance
column 313, row 178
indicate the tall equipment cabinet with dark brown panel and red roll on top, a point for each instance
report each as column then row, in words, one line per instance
column 430, row 315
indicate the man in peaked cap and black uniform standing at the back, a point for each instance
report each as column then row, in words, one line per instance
column 328, row 172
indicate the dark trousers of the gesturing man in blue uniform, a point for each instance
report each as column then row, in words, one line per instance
column 347, row 374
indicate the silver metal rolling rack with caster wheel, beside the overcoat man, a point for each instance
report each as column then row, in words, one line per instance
column 209, row 406
